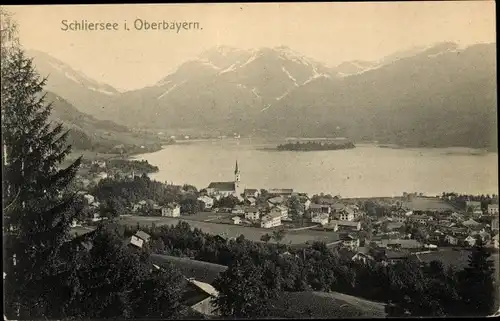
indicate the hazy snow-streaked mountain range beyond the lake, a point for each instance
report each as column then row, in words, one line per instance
column 436, row 96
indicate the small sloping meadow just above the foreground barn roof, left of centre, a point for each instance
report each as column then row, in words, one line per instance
column 201, row 271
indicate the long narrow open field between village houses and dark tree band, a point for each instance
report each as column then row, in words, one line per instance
column 250, row 233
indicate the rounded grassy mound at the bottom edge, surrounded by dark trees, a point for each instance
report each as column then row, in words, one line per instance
column 324, row 305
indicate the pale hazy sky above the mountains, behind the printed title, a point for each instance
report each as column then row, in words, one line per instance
column 328, row 32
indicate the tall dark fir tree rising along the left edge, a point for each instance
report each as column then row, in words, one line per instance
column 36, row 209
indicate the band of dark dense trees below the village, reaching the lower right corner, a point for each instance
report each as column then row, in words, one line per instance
column 420, row 290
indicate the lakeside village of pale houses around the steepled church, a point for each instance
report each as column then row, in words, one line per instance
column 405, row 224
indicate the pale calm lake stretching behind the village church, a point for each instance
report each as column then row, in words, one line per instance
column 366, row 171
